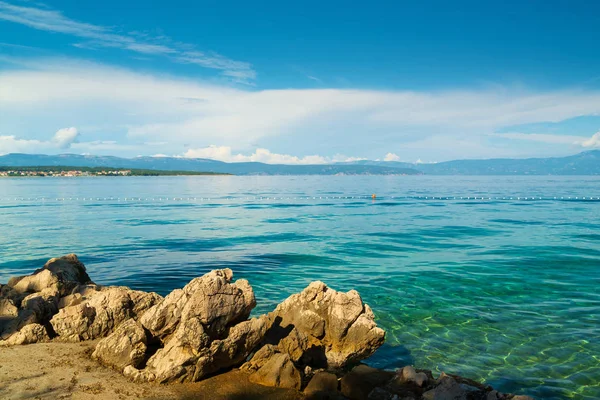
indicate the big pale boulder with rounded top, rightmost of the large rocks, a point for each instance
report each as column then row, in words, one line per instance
column 336, row 327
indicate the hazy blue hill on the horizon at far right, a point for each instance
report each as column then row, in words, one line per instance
column 586, row 163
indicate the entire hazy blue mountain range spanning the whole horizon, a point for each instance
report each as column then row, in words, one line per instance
column 586, row 163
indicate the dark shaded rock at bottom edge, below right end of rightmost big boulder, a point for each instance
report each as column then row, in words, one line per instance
column 358, row 383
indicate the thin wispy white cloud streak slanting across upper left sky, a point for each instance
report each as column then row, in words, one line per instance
column 100, row 36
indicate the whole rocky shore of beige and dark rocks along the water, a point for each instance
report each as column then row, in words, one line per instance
column 311, row 346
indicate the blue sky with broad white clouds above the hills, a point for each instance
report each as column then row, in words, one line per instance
column 300, row 82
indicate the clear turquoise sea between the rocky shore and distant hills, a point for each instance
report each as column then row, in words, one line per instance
column 501, row 290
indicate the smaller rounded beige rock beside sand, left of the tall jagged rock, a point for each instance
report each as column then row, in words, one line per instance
column 124, row 347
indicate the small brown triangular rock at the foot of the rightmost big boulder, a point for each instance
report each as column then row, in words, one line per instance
column 278, row 371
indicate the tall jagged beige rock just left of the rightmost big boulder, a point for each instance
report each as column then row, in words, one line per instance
column 203, row 328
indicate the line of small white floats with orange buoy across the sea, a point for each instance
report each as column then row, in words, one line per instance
column 374, row 199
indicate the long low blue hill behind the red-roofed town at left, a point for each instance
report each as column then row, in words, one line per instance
column 197, row 164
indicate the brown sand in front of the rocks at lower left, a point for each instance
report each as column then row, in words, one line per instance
column 66, row 371
